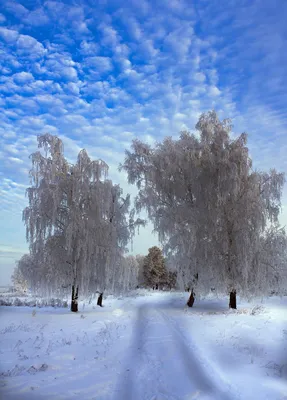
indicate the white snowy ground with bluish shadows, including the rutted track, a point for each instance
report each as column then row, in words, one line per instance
column 149, row 347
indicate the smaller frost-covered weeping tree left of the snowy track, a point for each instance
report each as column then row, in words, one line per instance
column 79, row 214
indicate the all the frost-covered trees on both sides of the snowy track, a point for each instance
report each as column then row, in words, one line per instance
column 216, row 218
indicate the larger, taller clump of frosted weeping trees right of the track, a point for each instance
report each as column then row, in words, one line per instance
column 216, row 217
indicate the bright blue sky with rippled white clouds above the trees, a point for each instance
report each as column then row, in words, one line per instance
column 101, row 73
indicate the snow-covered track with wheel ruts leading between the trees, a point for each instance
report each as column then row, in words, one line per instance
column 163, row 365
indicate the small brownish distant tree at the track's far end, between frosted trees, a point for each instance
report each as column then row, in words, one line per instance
column 155, row 272
